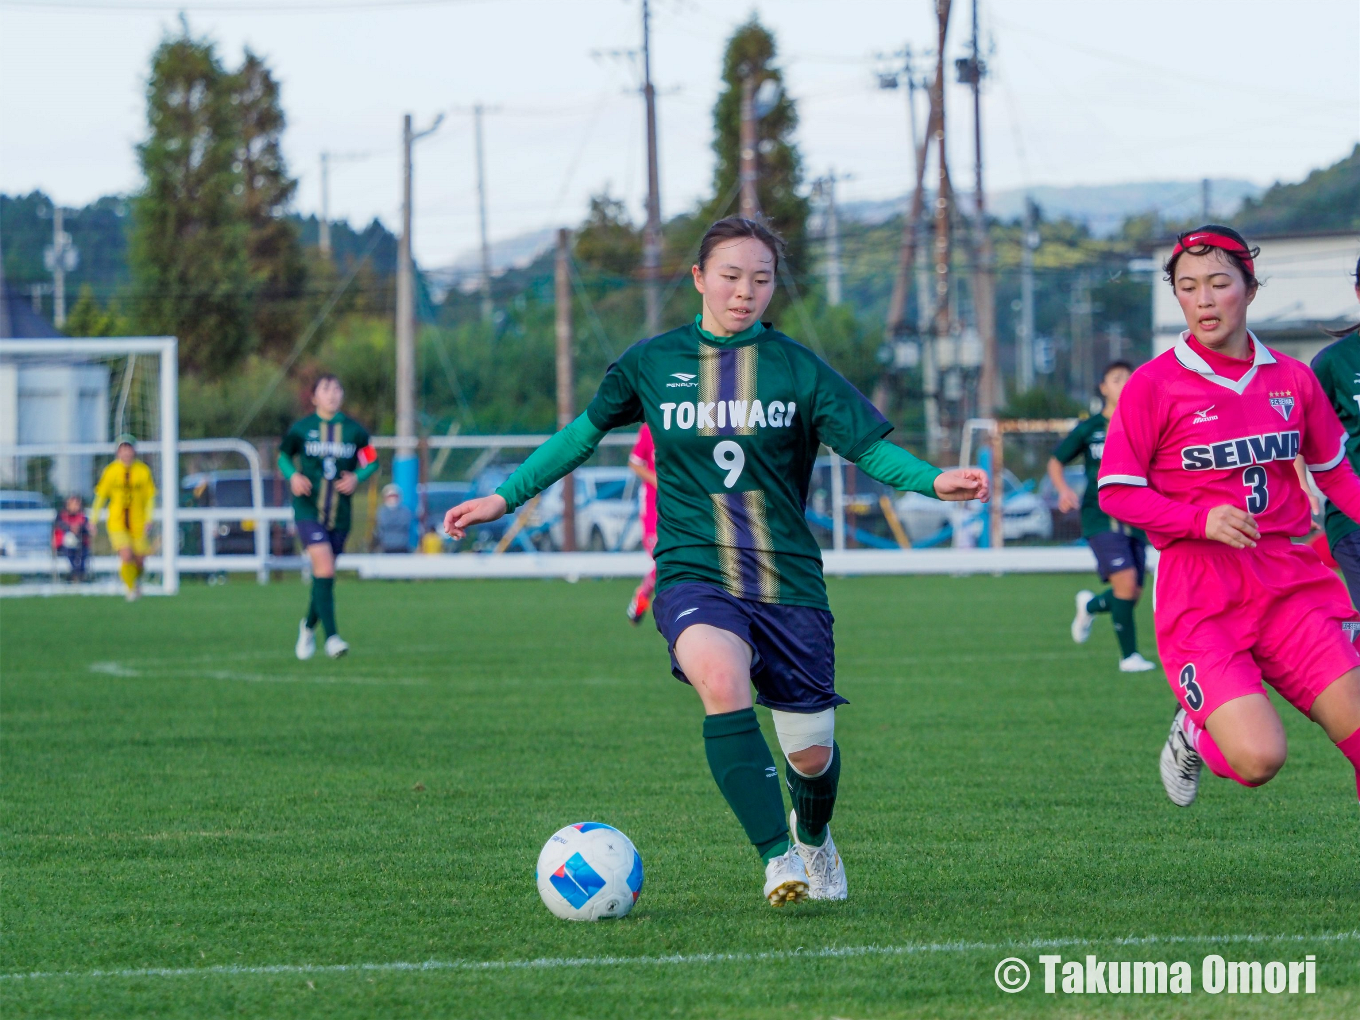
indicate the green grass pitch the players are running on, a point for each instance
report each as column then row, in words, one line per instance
column 182, row 794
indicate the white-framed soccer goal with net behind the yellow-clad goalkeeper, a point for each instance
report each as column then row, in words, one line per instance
column 63, row 405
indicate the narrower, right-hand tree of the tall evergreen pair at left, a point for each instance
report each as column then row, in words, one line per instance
column 266, row 191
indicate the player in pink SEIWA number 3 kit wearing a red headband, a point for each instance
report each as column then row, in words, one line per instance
column 1200, row 455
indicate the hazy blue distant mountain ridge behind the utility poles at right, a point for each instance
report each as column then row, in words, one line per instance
column 1102, row 209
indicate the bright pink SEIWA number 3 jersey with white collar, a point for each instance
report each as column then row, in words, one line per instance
column 1187, row 440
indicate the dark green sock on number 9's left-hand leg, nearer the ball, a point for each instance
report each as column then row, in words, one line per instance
column 746, row 773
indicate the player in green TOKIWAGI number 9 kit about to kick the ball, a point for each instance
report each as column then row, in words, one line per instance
column 738, row 413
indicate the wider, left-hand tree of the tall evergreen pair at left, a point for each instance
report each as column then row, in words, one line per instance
column 188, row 251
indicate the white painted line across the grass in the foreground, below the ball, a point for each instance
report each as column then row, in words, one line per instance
column 678, row 959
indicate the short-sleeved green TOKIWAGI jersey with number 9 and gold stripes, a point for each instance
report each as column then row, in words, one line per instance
column 738, row 424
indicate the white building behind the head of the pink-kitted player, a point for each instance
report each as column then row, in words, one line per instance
column 1308, row 285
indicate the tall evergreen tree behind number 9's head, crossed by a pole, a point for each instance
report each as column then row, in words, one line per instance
column 751, row 51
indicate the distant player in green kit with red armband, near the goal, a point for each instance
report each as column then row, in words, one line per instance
column 334, row 456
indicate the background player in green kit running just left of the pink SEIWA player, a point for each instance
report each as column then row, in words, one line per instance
column 1121, row 551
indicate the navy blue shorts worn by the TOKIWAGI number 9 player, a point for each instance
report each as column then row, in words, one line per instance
column 794, row 666
